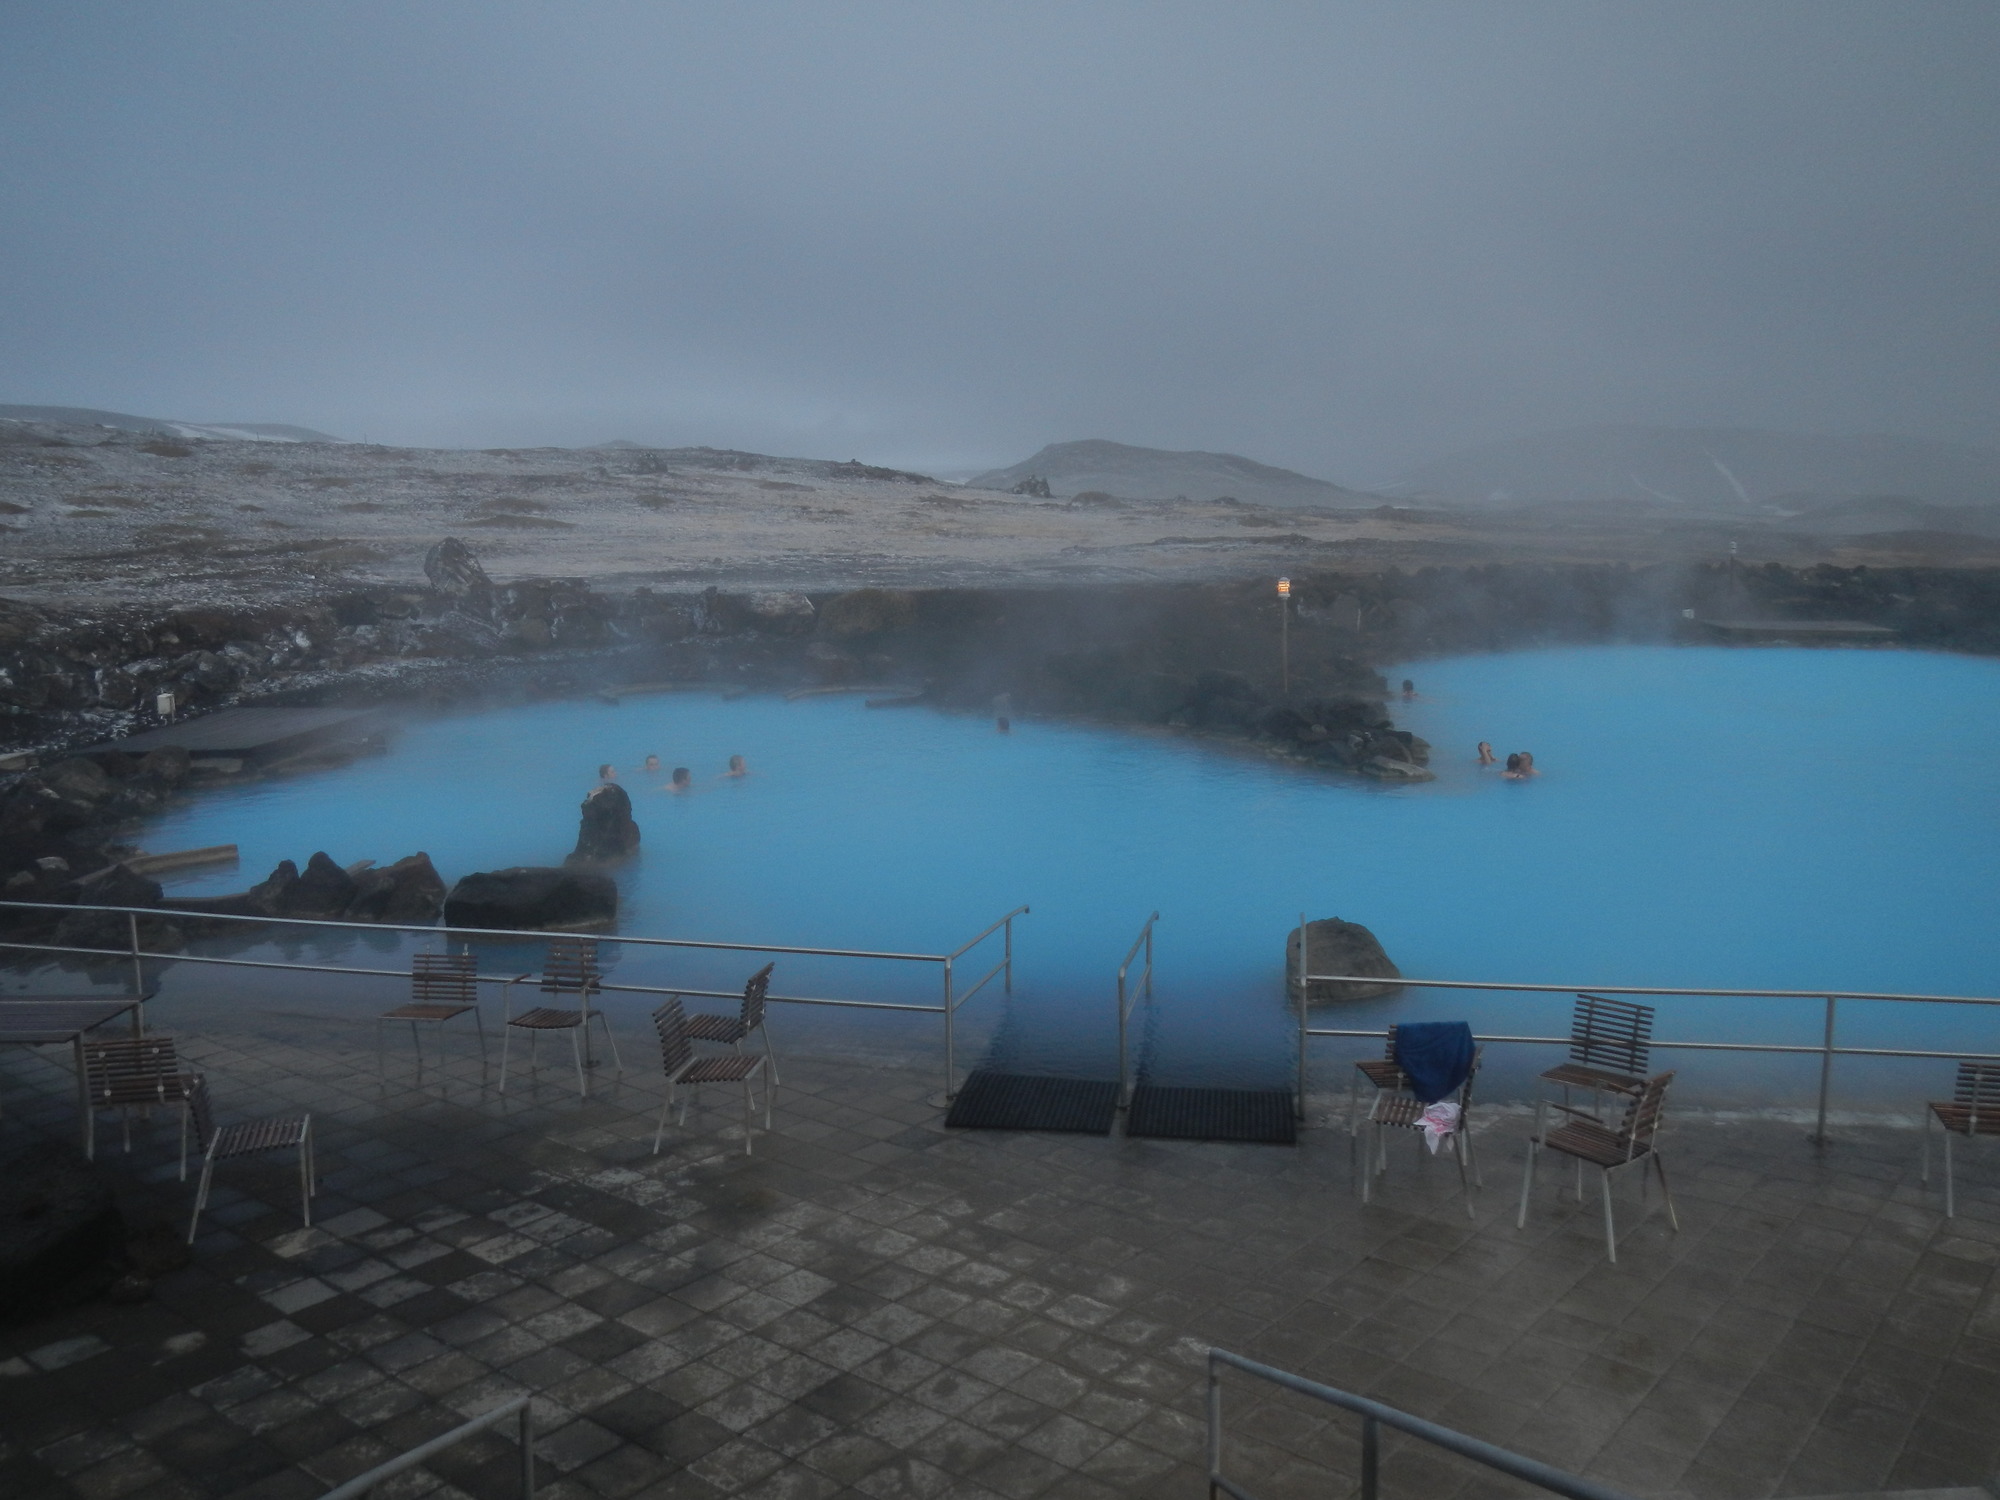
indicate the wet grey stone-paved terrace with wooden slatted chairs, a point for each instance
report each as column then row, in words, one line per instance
column 877, row 1307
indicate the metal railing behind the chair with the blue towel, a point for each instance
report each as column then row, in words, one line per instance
column 1825, row 1051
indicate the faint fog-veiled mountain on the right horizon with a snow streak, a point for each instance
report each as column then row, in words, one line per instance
column 1707, row 469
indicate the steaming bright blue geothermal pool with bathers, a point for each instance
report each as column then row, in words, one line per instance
column 1781, row 819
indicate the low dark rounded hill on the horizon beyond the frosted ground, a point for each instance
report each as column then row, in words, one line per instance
column 1161, row 475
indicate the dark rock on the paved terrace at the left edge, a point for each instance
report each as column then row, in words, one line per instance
column 61, row 1233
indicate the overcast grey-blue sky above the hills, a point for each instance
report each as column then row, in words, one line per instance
column 1335, row 237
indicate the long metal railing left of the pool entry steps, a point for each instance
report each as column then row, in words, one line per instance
column 139, row 957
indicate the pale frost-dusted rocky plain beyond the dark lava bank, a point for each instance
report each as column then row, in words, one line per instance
column 101, row 517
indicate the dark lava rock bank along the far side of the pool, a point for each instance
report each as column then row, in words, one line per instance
column 1193, row 659
